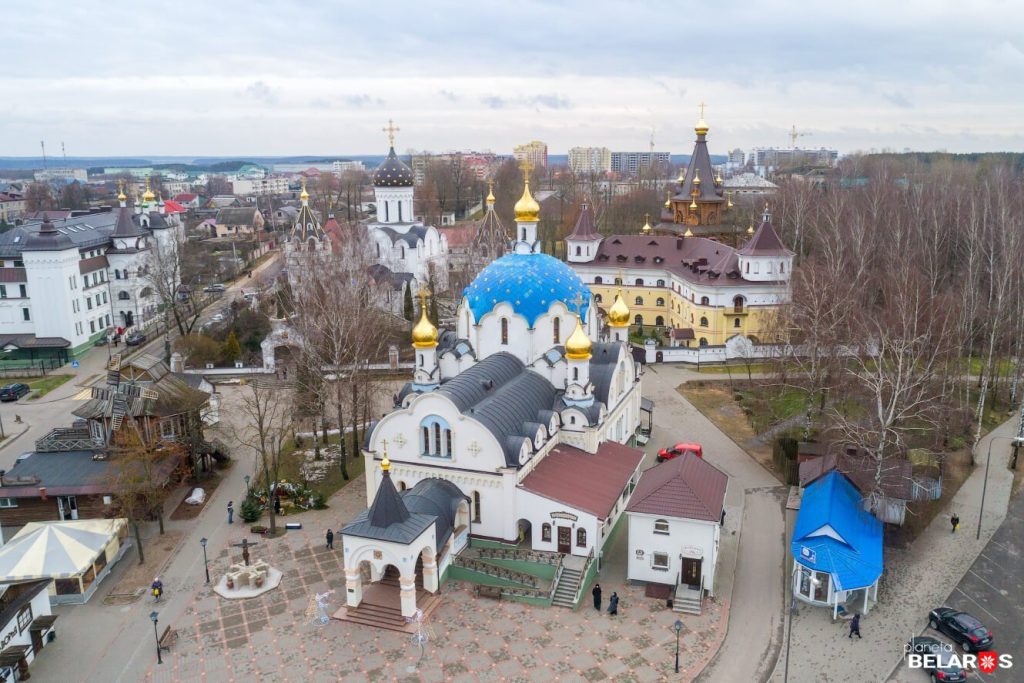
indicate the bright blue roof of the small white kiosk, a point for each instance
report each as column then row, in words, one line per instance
column 835, row 534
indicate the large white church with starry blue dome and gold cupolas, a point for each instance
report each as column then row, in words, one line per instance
column 516, row 428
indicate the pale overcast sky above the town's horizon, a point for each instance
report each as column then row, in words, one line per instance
column 268, row 77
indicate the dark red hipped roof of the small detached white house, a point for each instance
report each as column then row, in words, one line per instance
column 687, row 487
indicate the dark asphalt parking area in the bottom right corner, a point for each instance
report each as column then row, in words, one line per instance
column 993, row 590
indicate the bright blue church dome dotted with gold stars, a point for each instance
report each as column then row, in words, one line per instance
column 530, row 283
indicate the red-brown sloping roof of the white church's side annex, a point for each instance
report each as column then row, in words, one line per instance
column 608, row 474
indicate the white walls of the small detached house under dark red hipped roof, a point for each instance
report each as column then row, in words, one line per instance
column 660, row 545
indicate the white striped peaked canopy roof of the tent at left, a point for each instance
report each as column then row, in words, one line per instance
column 57, row 550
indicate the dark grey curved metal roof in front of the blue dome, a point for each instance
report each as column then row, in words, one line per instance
column 506, row 398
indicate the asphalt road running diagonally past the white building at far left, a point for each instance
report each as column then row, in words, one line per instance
column 54, row 410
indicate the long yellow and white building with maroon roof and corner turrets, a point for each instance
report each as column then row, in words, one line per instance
column 701, row 291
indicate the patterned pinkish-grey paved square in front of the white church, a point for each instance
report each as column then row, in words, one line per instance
column 471, row 638
